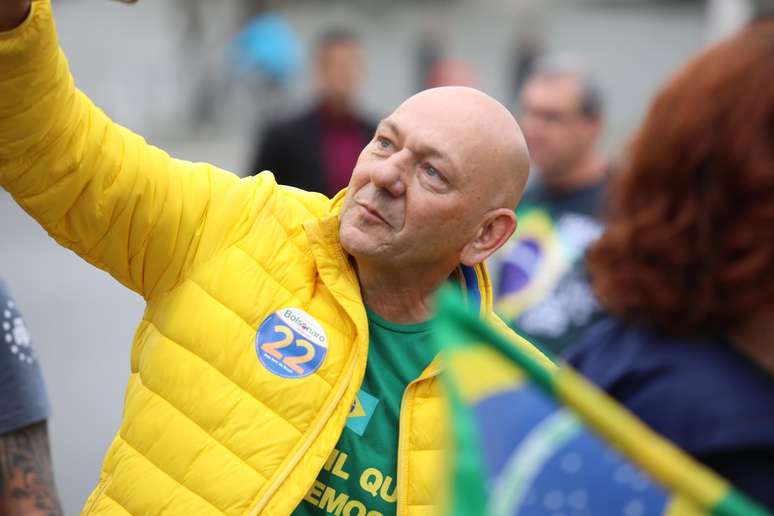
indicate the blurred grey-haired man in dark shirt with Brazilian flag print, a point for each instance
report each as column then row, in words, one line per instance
column 541, row 285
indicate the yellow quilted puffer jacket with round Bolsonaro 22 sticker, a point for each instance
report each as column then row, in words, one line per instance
column 218, row 419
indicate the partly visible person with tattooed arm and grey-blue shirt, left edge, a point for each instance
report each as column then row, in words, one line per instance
column 26, row 474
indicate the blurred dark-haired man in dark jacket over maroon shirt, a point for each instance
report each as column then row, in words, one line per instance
column 317, row 149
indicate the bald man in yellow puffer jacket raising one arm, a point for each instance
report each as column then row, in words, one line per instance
column 283, row 362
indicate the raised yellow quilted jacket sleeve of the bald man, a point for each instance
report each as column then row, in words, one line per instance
column 97, row 188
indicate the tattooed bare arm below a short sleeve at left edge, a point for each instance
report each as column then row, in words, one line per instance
column 26, row 476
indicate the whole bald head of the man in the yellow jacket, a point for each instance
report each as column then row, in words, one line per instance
column 438, row 184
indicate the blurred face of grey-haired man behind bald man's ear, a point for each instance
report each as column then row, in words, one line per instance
column 557, row 133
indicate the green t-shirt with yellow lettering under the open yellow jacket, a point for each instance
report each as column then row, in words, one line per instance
column 359, row 476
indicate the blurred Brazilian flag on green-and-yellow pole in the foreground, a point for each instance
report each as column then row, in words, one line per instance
column 534, row 441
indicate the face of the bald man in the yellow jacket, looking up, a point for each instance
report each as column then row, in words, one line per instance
column 412, row 199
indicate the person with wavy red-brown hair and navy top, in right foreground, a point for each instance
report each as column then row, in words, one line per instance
column 686, row 266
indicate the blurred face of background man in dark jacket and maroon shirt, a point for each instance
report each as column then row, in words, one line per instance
column 339, row 71
